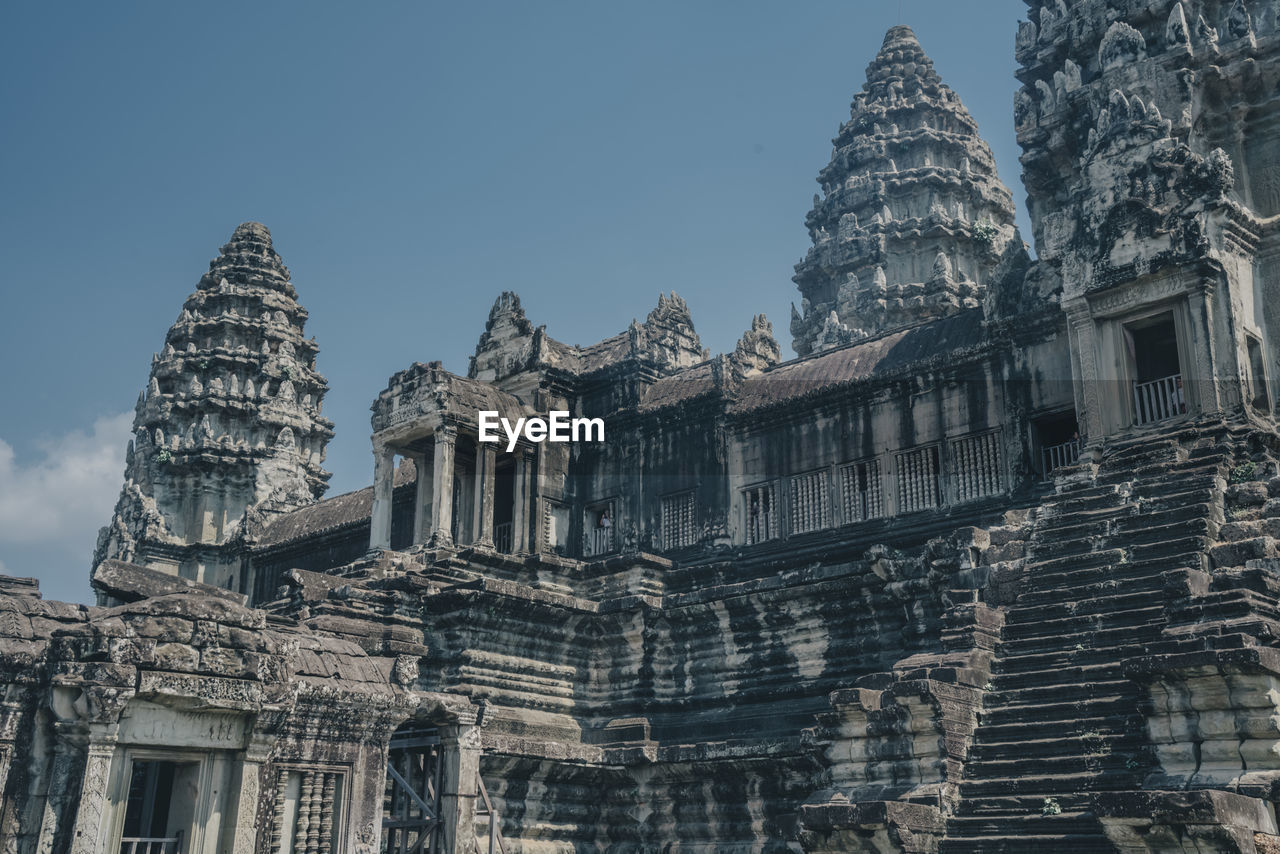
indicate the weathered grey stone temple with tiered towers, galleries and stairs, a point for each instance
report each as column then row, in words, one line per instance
column 991, row 565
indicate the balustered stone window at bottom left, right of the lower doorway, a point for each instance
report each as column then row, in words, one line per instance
column 308, row 811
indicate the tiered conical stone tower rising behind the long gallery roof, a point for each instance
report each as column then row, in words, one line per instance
column 913, row 220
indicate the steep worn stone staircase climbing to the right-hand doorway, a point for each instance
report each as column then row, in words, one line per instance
column 1112, row 556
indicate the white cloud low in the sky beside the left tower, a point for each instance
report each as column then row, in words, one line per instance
column 58, row 500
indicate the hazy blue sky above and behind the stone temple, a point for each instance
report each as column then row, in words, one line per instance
column 413, row 162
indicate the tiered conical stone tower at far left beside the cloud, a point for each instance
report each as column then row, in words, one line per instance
column 230, row 426
